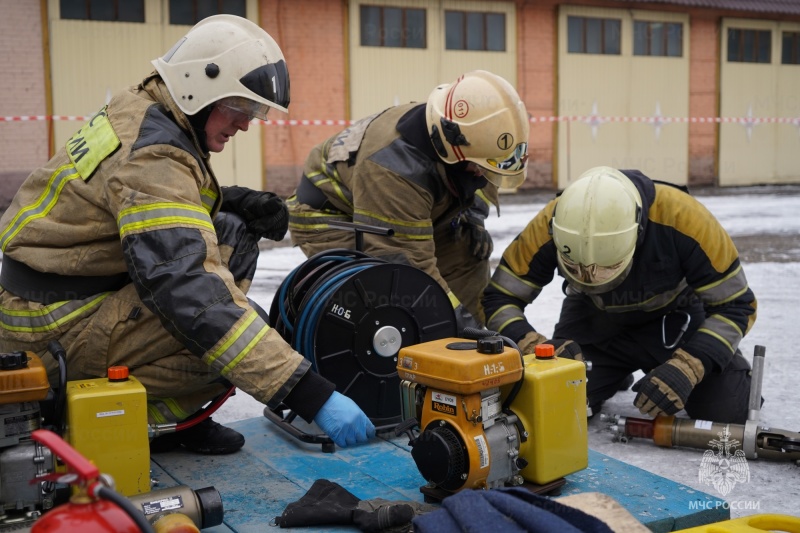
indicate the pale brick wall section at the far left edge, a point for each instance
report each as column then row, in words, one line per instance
column 23, row 145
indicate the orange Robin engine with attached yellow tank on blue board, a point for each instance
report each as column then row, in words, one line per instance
column 488, row 417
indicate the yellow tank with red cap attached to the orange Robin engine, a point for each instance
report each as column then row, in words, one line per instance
column 551, row 405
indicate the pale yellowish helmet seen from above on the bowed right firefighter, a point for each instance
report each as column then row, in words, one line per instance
column 595, row 228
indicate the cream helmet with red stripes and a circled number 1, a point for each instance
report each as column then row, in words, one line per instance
column 481, row 118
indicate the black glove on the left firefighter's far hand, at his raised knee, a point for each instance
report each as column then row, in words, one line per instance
column 265, row 212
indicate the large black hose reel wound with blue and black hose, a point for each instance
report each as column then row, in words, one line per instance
column 349, row 314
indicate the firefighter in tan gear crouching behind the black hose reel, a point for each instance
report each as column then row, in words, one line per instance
column 426, row 171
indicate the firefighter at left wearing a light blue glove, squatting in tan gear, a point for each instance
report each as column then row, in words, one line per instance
column 125, row 249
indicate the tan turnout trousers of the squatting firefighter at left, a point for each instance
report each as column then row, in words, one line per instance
column 120, row 330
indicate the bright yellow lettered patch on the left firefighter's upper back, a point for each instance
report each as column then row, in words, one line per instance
column 91, row 144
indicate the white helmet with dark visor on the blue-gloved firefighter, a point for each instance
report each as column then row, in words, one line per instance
column 230, row 57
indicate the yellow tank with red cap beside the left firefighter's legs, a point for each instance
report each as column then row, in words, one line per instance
column 107, row 424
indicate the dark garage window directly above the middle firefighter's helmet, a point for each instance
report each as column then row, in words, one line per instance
column 471, row 30
